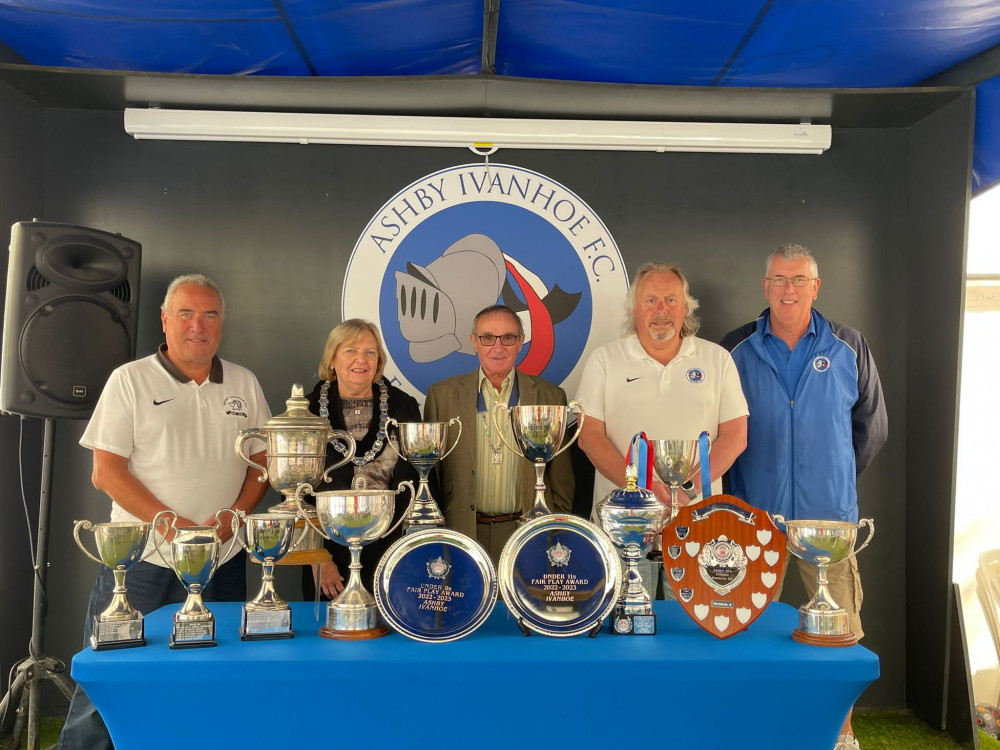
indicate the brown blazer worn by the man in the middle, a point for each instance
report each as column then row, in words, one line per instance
column 457, row 396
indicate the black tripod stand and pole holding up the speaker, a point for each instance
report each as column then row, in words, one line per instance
column 24, row 694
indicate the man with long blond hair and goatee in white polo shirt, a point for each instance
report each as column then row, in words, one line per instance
column 663, row 380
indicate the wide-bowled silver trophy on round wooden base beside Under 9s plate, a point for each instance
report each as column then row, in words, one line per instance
column 356, row 518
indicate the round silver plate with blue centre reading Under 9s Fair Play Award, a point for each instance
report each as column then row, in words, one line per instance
column 436, row 585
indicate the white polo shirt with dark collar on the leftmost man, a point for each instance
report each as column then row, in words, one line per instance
column 179, row 437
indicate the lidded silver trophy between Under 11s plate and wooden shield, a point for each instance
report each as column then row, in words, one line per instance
column 633, row 518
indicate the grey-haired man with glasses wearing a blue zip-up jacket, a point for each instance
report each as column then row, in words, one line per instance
column 817, row 417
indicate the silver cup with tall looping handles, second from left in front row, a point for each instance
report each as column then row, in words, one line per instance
column 194, row 554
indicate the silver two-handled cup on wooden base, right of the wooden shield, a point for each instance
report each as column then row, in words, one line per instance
column 823, row 622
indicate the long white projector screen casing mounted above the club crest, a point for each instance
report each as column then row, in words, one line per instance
column 481, row 133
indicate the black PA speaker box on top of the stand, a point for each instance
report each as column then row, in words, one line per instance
column 70, row 319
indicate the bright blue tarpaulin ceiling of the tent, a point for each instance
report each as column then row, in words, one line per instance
column 725, row 43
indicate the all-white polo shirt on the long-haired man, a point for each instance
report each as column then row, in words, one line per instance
column 631, row 392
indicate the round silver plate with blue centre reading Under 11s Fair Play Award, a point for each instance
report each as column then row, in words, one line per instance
column 560, row 575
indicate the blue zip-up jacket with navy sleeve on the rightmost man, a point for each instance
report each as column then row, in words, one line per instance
column 804, row 453
